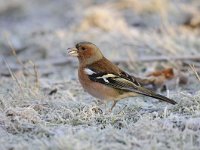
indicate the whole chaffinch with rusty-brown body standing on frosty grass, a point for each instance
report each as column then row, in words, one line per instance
column 106, row 81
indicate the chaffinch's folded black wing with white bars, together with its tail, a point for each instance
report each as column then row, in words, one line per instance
column 124, row 82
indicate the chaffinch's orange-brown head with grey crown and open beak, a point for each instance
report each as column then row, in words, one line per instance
column 86, row 52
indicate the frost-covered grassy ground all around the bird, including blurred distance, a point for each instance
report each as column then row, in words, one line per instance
column 42, row 105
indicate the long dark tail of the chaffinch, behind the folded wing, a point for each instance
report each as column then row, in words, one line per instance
column 147, row 92
